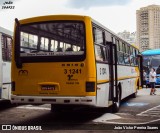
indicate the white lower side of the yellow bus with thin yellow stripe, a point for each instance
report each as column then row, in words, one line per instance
column 127, row 77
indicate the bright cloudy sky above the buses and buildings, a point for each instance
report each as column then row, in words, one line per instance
column 117, row 15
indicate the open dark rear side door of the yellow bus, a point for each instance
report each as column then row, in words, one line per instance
column 113, row 85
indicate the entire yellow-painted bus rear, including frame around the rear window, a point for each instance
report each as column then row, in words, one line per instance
column 69, row 78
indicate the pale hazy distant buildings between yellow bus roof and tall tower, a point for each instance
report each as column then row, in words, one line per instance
column 128, row 36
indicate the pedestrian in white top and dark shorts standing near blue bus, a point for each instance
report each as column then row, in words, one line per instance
column 152, row 80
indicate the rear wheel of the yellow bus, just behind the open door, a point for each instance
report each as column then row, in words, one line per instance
column 116, row 105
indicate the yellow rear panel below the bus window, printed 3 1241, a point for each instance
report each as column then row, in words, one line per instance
column 68, row 80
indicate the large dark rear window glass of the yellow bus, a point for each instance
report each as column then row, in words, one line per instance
column 54, row 39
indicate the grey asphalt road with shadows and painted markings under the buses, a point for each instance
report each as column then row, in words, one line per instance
column 140, row 112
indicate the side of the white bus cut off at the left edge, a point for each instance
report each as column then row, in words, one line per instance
column 5, row 64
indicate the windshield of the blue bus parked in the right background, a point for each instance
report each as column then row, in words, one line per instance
column 151, row 61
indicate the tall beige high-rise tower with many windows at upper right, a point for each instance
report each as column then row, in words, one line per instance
column 148, row 27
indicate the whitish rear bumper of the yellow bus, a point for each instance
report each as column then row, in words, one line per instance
column 87, row 100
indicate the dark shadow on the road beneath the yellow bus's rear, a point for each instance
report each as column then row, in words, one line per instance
column 66, row 119
